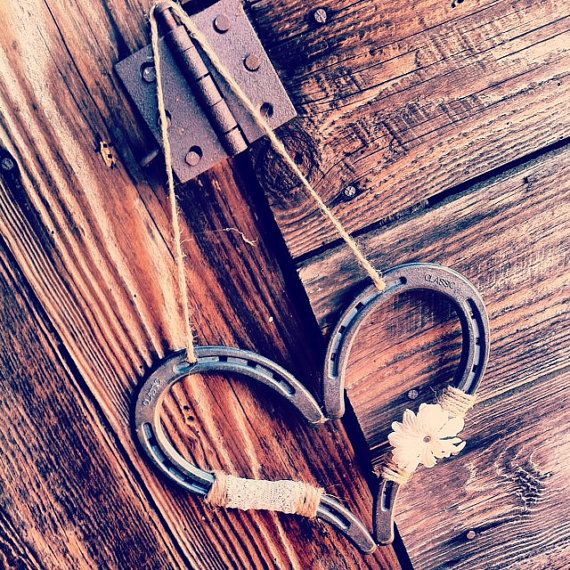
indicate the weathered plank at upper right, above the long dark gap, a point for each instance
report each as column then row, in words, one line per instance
column 405, row 100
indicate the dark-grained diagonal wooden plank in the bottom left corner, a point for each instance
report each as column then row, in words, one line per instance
column 65, row 500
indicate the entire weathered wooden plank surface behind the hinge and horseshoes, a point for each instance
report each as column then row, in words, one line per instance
column 435, row 131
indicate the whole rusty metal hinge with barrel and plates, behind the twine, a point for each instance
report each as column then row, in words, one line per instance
column 207, row 122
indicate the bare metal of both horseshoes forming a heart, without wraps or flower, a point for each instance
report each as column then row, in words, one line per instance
column 220, row 359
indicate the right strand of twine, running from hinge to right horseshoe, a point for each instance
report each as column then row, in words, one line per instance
column 277, row 144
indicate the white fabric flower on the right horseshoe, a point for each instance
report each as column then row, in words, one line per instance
column 423, row 438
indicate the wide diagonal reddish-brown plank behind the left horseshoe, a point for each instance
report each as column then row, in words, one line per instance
column 94, row 245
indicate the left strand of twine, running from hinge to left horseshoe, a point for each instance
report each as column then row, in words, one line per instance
column 174, row 210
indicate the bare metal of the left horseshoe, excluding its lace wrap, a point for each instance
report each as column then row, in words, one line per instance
column 221, row 359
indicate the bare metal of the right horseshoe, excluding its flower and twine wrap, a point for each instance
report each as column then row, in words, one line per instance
column 474, row 352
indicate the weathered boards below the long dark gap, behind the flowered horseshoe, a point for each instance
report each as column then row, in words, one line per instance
column 510, row 237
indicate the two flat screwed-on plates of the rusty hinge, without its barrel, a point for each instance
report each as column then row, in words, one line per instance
column 190, row 128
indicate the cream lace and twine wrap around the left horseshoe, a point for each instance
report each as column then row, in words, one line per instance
column 292, row 497
